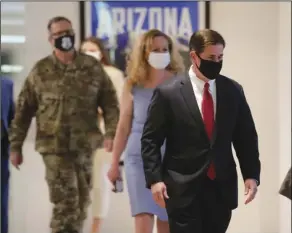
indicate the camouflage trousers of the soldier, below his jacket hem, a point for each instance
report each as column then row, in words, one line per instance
column 69, row 181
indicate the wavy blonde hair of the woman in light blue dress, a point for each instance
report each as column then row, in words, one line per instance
column 137, row 64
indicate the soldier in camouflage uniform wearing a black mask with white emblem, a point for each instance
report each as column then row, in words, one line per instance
column 63, row 91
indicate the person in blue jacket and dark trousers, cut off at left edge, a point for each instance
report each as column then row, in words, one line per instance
column 7, row 112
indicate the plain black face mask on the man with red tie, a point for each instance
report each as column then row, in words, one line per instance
column 210, row 69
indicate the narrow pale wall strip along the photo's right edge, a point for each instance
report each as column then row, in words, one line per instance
column 284, row 74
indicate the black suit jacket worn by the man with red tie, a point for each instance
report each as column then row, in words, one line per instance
column 174, row 115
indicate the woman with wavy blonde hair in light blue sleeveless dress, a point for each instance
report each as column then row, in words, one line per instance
column 153, row 60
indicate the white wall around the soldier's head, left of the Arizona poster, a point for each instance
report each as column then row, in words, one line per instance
column 37, row 15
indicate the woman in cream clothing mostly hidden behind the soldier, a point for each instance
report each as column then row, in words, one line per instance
column 101, row 186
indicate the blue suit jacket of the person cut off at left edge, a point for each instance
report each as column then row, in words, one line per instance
column 7, row 109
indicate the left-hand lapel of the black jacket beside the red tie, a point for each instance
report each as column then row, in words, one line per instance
column 192, row 104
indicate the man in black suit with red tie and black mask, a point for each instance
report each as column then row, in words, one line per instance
column 200, row 115
